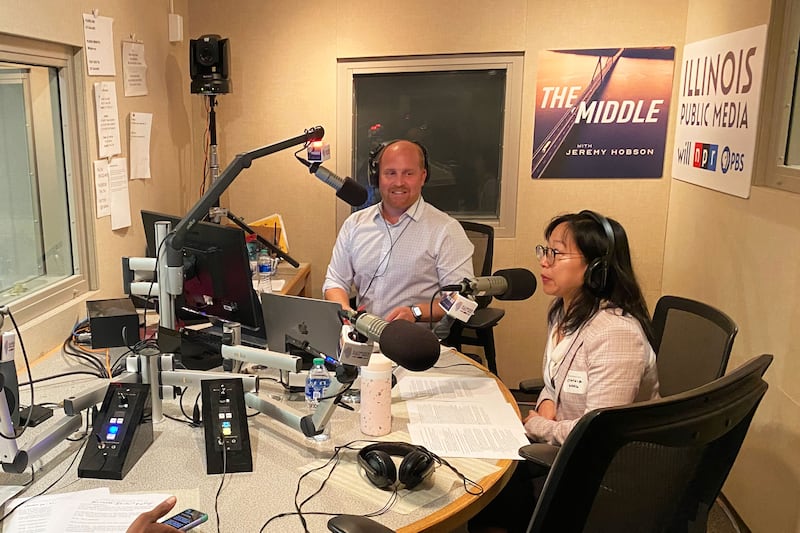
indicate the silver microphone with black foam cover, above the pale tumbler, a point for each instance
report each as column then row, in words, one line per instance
column 407, row 344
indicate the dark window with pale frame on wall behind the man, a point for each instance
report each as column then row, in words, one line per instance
column 464, row 109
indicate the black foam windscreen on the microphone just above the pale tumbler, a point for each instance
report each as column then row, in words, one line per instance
column 409, row 345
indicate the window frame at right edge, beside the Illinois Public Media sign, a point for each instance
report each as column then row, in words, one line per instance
column 778, row 89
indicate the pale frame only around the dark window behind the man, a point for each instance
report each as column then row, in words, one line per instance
column 512, row 63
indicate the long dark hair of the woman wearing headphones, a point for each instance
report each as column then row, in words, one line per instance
column 621, row 288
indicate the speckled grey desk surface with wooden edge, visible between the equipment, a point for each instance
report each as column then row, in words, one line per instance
column 175, row 464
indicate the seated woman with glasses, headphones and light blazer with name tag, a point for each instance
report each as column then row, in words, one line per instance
column 598, row 351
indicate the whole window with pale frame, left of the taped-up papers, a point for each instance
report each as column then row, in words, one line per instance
column 43, row 262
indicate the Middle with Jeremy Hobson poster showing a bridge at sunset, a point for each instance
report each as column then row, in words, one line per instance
column 602, row 113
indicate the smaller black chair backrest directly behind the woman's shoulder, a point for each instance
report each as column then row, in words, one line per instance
column 693, row 343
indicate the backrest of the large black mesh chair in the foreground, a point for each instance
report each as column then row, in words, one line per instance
column 653, row 466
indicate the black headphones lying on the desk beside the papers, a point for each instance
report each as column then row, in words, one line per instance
column 376, row 460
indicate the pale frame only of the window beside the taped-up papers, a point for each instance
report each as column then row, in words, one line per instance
column 68, row 60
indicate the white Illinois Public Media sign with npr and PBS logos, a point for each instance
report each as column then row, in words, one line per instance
column 718, row 102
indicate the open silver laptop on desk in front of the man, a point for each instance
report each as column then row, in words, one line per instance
column 300, row 320
